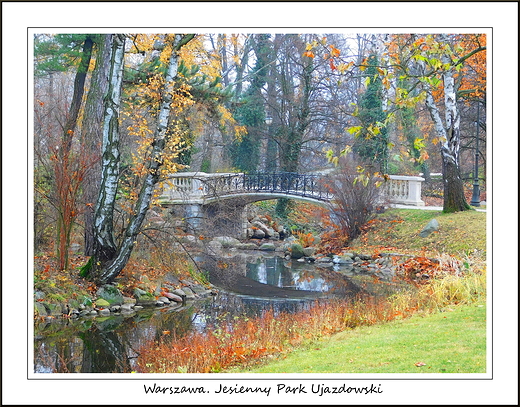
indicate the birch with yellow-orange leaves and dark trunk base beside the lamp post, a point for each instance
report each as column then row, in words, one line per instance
column 433, row 66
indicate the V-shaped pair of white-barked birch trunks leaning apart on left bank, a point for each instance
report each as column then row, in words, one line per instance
column 109, row 259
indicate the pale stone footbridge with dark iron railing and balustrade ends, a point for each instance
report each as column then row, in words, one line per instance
column 204, row 195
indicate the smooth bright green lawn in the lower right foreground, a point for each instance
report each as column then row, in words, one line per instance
column 453, row 341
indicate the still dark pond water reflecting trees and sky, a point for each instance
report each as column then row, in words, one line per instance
column 248, row 284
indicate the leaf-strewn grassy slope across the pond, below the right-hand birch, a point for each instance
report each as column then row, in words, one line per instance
column 459, row 233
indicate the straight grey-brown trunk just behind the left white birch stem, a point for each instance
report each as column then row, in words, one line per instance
column 92, row 135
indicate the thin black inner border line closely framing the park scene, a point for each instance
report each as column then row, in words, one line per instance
column 269, row 378
